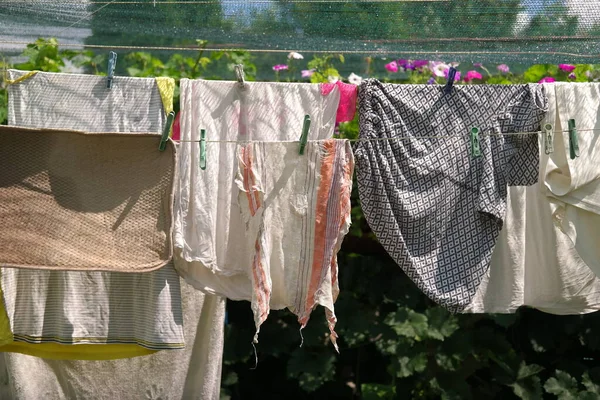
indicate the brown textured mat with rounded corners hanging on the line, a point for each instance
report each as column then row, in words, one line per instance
column 79, row 201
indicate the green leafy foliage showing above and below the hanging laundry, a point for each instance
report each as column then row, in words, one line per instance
column 394, row 342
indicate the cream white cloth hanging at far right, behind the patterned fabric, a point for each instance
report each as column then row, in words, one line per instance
column 535, row 262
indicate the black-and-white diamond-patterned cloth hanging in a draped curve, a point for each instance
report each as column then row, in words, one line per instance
column 436, row 207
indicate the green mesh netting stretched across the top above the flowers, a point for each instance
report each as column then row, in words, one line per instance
column 518, row 31
